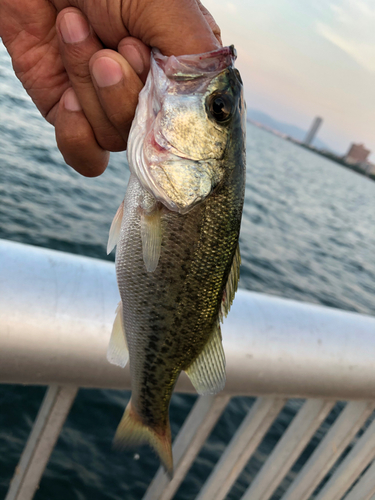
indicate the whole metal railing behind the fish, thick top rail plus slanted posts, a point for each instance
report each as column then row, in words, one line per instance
column 57, row 309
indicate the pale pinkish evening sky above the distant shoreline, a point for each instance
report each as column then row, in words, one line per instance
column 301, row 58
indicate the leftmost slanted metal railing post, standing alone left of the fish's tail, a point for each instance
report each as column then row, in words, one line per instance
column 46, row 430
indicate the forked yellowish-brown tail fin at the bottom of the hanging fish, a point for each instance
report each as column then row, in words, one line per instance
column 132, row 431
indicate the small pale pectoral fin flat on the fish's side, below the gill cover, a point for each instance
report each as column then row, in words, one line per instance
column 151, row 238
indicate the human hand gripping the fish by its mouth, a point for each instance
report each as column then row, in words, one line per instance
column 84, row 71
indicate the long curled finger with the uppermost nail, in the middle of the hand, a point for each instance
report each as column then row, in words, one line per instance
column 78, row 44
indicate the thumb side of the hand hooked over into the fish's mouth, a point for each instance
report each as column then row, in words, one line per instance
column 175, row 27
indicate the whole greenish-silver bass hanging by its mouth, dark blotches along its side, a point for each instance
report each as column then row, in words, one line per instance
column 177, row 230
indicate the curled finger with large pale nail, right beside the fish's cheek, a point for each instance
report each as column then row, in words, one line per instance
column 117, row 86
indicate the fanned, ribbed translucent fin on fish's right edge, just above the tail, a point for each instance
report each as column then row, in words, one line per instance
column 207, row 372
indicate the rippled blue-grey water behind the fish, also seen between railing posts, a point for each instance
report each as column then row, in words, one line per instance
column 308, row 233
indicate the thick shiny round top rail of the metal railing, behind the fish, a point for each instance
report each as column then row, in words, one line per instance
column 57, row 309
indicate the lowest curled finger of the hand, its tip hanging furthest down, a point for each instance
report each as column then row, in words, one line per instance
column 76, row 140
